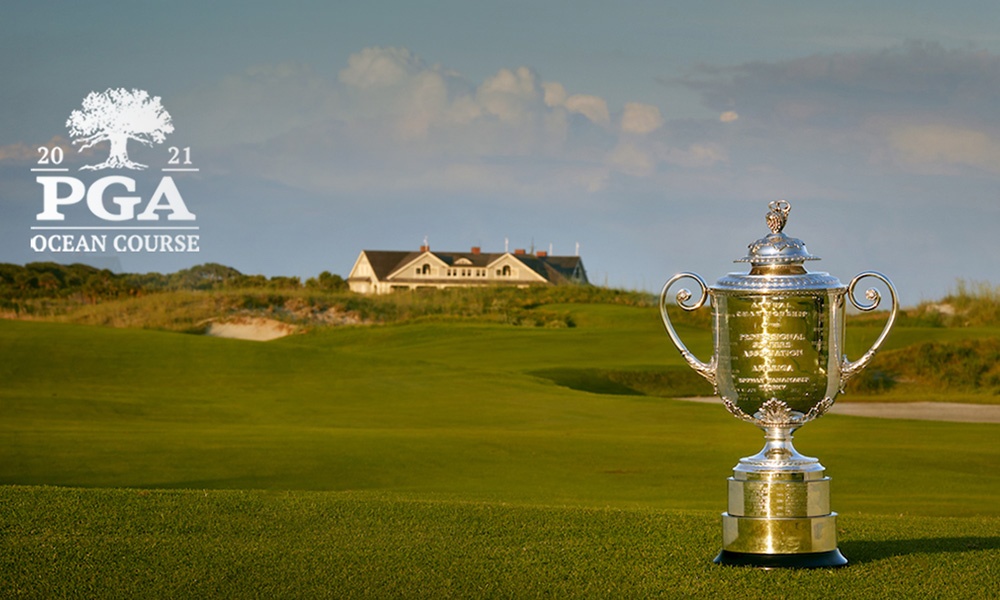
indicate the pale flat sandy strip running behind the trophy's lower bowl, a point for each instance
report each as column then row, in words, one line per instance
column 921, row 411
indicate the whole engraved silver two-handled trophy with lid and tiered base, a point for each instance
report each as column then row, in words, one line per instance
column 778, row 362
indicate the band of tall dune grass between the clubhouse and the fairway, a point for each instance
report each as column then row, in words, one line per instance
column 191, row 310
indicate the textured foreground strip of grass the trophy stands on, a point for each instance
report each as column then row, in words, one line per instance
column 252, row 544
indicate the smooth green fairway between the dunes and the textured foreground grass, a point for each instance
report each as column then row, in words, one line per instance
column 455, row 410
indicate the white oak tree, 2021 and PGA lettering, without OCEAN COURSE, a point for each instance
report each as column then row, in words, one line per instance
column 115, row 116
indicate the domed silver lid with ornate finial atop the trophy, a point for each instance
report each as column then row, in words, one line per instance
column 776, row 262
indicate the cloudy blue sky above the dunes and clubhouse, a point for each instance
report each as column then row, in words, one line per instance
column 653, row 134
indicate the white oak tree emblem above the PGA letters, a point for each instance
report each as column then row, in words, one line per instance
column 117, row 116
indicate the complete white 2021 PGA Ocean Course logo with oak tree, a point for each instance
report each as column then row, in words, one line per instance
column 71, row 204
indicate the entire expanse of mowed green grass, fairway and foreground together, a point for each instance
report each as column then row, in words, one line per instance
column 433, row 460
